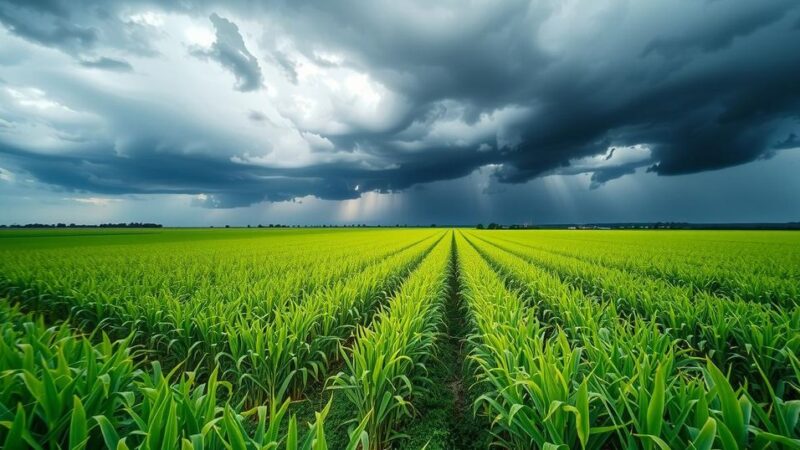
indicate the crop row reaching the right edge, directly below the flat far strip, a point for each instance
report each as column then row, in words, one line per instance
column 751, row 337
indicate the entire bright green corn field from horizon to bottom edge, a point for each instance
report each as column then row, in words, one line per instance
column 399, row 338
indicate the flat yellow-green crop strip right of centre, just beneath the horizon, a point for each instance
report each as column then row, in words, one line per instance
column 763, row 272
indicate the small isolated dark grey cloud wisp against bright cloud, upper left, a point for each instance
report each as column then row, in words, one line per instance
column 230, row 51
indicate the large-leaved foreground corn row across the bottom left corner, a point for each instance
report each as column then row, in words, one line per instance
column 62, row 390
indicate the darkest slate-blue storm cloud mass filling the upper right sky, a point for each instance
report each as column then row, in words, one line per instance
column 699, row 102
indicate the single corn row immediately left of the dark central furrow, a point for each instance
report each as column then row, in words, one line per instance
column 386, row 363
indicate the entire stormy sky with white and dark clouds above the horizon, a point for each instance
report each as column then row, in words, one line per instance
column 197, row 113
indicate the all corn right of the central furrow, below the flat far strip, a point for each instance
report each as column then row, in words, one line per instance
column 642, row 379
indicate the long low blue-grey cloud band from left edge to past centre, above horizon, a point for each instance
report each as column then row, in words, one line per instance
column 225, row 184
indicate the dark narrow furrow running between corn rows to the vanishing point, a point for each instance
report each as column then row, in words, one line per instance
column 445, row 419
